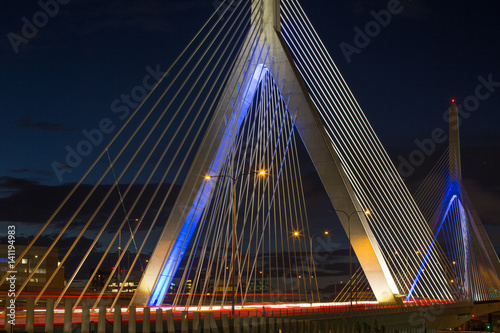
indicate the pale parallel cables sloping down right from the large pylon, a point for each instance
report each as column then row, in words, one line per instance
column 404, row 236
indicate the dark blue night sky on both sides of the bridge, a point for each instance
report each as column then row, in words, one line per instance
column 64, row 78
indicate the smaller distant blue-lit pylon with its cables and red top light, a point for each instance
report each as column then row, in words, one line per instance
column 473, row 262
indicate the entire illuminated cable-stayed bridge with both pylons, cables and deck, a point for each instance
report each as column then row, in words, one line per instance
column 208, row 170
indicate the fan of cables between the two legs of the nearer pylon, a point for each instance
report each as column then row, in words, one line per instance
column 270, row 262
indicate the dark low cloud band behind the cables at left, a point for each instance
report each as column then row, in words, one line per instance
column 27, row 201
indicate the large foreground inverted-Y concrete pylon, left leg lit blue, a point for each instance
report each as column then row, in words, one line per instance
column 270, row 53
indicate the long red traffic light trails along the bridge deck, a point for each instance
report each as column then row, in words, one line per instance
column 28, row 316
